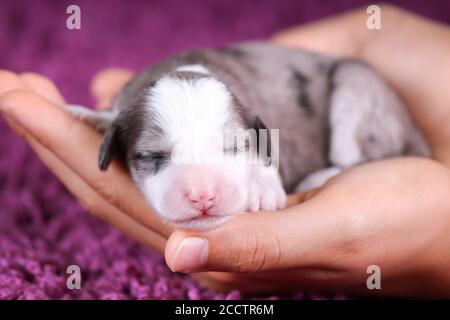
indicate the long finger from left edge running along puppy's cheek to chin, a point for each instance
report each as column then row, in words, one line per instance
column 76, row 145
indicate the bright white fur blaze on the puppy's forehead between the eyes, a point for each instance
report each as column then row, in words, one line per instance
column 192, row 114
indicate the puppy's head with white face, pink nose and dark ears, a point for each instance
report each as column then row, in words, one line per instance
column 173, row 141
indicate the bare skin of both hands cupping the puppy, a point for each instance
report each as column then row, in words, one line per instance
column 393, row 213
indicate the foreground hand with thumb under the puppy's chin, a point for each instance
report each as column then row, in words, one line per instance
column 392, row 213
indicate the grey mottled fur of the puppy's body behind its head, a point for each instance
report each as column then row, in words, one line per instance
column 295, row 91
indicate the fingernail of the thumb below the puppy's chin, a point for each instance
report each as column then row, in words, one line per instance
column 190, row 255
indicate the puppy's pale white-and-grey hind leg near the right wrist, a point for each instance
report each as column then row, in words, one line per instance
column 361, row 107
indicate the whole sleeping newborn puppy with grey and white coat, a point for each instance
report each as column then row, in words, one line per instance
column 211, row 133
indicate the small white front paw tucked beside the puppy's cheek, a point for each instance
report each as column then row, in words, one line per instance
column 266, row 193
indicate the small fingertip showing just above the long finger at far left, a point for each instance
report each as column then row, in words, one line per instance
column 43, row 86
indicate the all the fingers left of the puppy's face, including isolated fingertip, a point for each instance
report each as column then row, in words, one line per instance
column 32, row 106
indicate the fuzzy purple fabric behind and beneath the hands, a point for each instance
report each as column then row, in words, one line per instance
column 42, row 228
